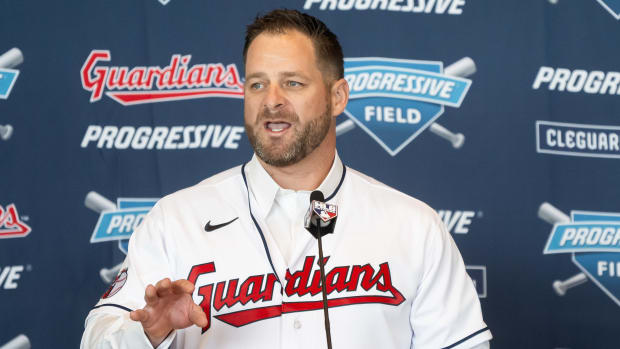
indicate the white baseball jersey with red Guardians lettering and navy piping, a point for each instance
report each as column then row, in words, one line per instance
column 394, row 276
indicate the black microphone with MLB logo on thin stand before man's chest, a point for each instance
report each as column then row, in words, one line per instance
column 320, row 220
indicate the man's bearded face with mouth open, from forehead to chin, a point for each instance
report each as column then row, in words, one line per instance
column 287, row 106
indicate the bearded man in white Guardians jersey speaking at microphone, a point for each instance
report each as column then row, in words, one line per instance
column 245, row 269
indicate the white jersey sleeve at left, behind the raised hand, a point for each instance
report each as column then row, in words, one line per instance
column 108, row 324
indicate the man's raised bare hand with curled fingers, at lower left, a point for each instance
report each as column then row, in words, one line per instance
column 169, row 306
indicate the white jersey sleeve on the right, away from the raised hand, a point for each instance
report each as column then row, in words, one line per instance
column 446, row 311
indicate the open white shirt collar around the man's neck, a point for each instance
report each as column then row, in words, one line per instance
column 264, row 188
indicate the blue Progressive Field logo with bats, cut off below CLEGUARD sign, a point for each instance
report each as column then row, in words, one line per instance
column 593, row 241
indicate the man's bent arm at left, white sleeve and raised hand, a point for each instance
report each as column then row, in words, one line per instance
column 131, row 313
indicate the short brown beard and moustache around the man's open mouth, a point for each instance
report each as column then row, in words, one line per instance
column 279, row 152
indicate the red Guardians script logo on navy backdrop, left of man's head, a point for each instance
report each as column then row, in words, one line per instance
column 177, row 81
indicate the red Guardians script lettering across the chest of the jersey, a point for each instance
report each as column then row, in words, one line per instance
column 348, row 285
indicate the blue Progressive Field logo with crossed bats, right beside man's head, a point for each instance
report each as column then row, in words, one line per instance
column 394, row 100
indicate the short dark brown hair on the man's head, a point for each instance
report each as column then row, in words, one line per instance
column 328, row 50
